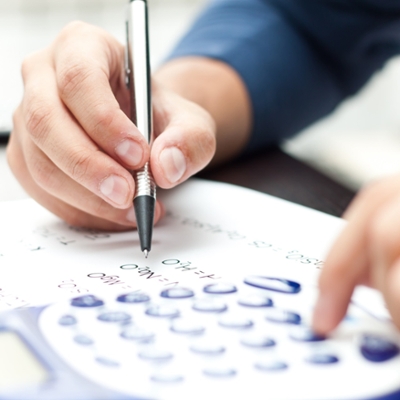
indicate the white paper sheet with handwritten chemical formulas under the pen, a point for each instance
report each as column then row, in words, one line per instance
column 212, row 231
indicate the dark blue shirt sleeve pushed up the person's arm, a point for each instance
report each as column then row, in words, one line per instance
column 297, row 58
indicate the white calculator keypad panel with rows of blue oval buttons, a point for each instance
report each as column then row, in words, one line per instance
column 223, row 336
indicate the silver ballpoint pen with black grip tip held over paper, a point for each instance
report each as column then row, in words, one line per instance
column 138, row 81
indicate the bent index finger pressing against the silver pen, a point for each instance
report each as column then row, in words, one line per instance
column 90, row 79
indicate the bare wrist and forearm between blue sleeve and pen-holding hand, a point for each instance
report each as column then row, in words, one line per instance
column 218, row 89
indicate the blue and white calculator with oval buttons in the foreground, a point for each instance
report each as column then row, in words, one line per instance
column 245, row 338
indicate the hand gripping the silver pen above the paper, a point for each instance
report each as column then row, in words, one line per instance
column 73, row 144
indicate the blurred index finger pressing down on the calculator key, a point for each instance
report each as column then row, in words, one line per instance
column 348, row 261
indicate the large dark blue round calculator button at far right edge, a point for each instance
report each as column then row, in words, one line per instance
column 377, row 349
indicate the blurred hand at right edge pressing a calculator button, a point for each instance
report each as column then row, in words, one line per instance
column 367, row 252
